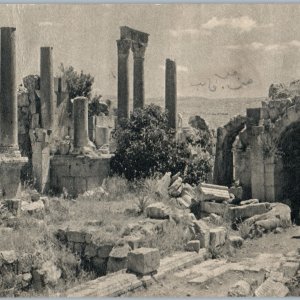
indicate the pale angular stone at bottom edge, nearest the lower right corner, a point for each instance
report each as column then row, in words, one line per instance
column 271, row 288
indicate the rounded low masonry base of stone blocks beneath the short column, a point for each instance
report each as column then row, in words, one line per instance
column 77, row 174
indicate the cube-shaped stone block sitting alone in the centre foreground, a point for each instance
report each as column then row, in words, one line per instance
column 143, row 260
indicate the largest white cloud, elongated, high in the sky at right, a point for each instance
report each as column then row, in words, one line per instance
column 244, row 23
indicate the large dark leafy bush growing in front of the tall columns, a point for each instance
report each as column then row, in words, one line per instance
column 146, row 146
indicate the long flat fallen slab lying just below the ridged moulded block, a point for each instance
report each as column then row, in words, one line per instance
column 247, row 211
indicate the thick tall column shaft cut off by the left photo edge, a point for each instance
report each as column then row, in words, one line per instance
column 8, row 96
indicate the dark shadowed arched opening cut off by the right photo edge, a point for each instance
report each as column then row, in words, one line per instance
column 289, row 150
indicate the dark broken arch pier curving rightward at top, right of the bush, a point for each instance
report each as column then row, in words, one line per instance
column 223, row 168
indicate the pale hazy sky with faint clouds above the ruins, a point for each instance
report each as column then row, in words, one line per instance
column 221, row 50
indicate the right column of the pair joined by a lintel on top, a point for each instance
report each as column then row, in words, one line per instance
column 138, row 50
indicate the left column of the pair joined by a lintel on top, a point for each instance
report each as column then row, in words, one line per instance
column 123, row 80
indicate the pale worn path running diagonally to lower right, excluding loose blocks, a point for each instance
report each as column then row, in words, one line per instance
column 251, row 263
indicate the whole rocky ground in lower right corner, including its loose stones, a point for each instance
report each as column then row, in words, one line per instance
column 266, row 266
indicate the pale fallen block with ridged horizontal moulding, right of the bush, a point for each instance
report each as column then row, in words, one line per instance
column 208, row 192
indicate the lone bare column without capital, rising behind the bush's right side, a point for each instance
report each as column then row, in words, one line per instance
column 171, row 93
